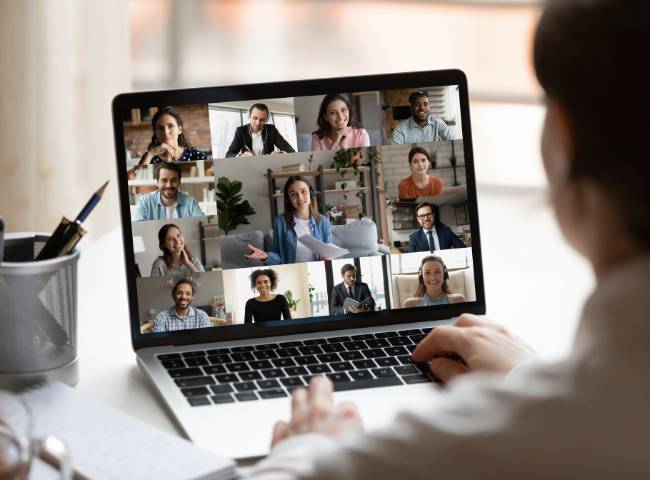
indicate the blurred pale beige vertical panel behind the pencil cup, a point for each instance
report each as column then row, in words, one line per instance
column 61, row 63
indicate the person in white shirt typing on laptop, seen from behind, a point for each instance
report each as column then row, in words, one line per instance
column 508, row 415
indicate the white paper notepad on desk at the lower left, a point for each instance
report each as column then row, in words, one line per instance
column 105, row 443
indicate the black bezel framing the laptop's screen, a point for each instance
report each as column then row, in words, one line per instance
column 297, row 88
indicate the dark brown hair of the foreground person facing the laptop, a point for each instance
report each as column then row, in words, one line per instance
column 588, row 57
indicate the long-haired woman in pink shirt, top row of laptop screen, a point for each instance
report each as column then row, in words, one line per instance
column 337, row 127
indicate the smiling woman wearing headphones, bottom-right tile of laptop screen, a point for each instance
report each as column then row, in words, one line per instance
column 432, row 285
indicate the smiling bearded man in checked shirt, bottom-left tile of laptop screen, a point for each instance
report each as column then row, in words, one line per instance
column 182, row 316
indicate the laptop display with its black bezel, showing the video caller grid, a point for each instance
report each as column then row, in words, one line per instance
column 247, row 212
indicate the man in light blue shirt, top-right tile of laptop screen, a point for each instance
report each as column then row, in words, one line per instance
column 421, row 126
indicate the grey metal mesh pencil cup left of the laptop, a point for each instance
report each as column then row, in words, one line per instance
column 38, row 314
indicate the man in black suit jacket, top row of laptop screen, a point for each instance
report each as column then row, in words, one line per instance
column 256, row 137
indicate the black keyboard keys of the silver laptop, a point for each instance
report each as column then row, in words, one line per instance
column 273, row 370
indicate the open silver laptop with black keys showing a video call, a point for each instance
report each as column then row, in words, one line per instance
column 277, row 231
